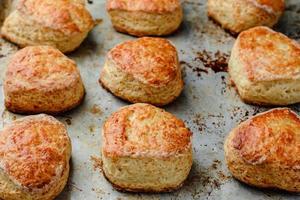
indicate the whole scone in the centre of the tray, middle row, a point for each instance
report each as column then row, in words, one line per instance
column 145, row 70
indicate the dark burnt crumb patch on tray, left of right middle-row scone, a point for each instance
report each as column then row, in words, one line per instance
column 218, row 61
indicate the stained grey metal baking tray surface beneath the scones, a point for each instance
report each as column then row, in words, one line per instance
column 208, row 105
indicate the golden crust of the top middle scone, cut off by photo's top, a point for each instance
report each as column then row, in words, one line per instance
column 150, row 6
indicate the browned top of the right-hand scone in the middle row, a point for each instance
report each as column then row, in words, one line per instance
column 268, row 55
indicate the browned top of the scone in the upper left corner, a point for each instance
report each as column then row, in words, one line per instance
column 62, row 15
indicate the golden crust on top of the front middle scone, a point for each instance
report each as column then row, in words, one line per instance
column 144, row 130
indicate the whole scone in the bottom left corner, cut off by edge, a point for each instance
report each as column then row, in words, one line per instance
column 34, row 158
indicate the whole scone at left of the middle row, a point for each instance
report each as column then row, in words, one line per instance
column 40, row 79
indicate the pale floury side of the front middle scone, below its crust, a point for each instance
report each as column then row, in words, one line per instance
column 137, row 183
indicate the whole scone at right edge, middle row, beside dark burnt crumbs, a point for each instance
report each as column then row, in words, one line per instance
column 265, row 67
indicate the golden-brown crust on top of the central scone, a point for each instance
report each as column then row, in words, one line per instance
column 153, row 61
